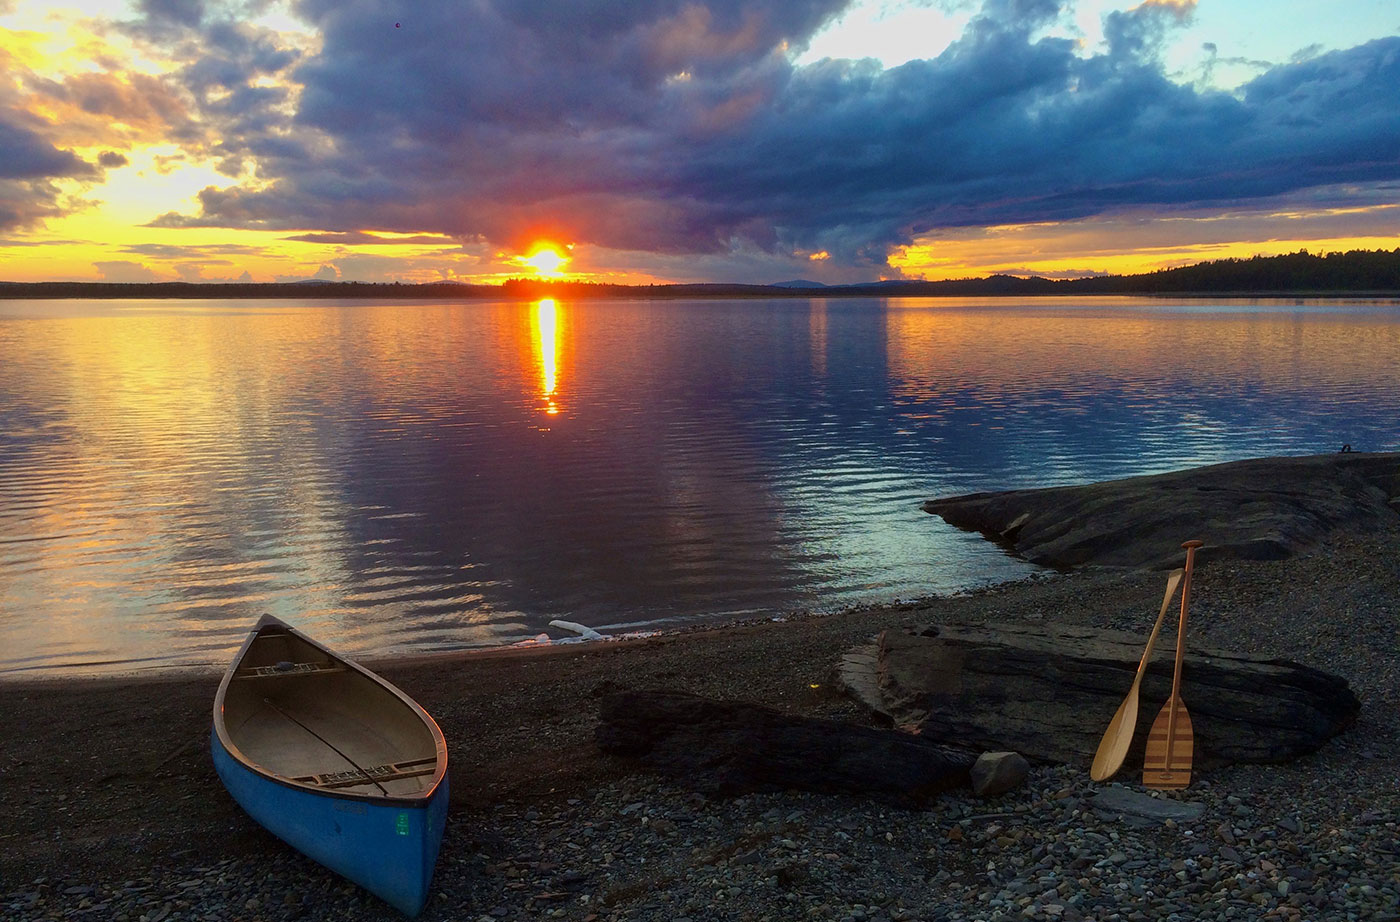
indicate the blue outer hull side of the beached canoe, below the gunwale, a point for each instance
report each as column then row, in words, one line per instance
column 387, row 849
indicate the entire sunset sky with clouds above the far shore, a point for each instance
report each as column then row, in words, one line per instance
column 689, row 141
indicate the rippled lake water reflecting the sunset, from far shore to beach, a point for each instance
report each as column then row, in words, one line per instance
column 414, row 478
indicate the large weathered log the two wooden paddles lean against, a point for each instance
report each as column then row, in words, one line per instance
column 1049, row 692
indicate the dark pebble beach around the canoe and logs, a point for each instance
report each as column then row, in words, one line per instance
column 113, row 809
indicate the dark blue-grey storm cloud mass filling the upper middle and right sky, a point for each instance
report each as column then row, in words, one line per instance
column 684, row 128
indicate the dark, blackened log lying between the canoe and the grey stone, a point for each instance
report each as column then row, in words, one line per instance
column 731, row 748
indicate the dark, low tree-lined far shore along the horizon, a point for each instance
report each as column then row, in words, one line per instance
column 1303, row 274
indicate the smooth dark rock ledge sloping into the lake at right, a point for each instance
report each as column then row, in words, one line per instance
column 1266, row 509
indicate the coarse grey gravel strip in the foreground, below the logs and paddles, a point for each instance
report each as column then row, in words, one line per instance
column 642, row 850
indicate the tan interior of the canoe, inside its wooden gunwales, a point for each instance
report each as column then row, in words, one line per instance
column 296, row 711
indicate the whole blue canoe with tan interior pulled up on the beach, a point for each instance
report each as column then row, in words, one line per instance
column 335, row 762
